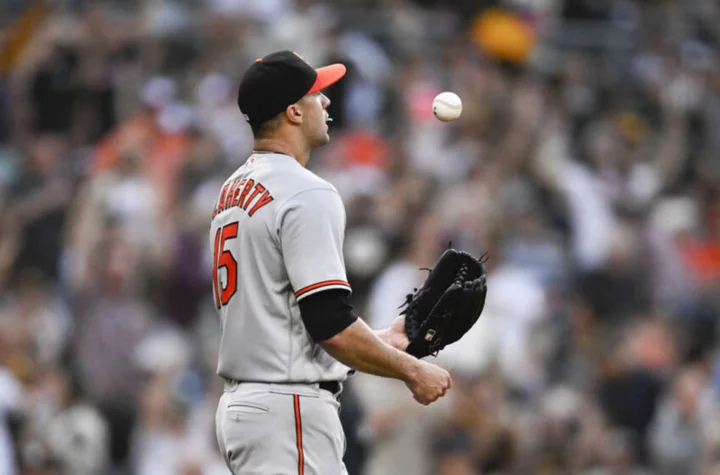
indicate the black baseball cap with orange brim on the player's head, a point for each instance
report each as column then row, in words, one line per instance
column 278, row 80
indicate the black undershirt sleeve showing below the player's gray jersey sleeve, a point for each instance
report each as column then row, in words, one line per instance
column 326, row 313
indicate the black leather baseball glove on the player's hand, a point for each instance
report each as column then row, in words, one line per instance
column 447, row 305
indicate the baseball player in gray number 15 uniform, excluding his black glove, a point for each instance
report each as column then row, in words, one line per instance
column 289, row 336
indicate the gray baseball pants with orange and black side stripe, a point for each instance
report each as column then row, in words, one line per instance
column 280, row 429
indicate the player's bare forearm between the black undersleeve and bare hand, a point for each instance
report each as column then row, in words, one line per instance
column 362, row 349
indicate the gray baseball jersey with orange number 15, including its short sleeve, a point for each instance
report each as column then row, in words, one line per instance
column 277, row 237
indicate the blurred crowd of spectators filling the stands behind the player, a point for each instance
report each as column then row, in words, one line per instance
column 586, row 164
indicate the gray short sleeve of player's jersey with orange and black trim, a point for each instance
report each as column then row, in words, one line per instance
column 311, row 230
